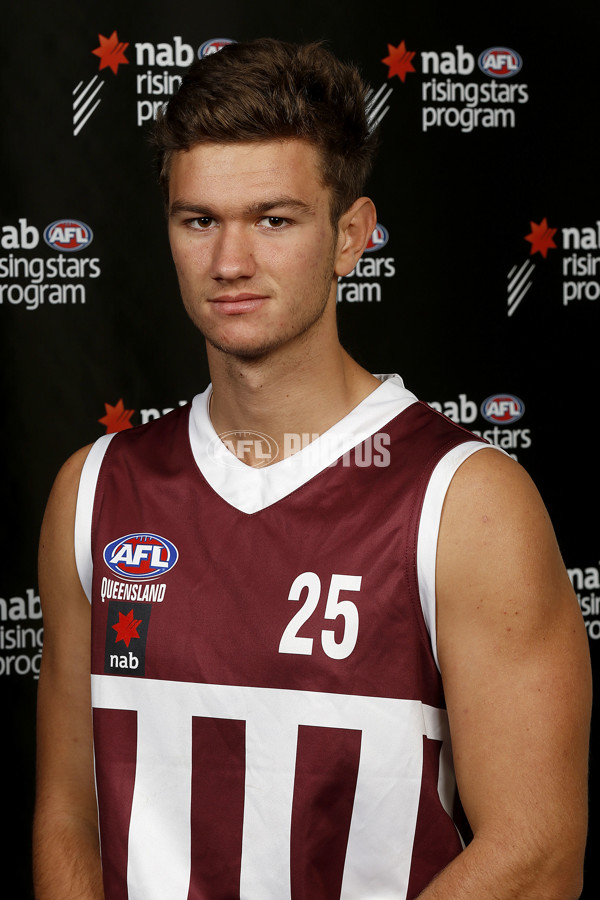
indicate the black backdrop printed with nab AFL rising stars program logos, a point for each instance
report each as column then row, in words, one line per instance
column 486, row 289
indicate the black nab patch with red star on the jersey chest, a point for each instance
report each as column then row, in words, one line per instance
column 126, row 633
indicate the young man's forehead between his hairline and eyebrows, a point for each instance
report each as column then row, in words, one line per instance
column 247, row 170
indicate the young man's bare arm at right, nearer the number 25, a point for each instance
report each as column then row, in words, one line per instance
column 515, row 665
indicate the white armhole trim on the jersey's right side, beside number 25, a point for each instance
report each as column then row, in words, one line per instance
column 429, row 528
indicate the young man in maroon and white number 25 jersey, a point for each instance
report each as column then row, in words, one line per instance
column 281, row 653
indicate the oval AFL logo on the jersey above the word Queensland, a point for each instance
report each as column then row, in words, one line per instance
column 140, row 556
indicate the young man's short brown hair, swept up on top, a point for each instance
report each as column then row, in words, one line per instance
column 272, row 90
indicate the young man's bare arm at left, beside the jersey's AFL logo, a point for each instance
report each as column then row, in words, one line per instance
column 66, row 855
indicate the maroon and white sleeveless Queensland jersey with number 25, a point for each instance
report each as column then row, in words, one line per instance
column 269, row 718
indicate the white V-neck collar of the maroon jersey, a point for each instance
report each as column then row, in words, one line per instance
column 252, row 489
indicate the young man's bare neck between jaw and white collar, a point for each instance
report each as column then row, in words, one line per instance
column 293, row 396
